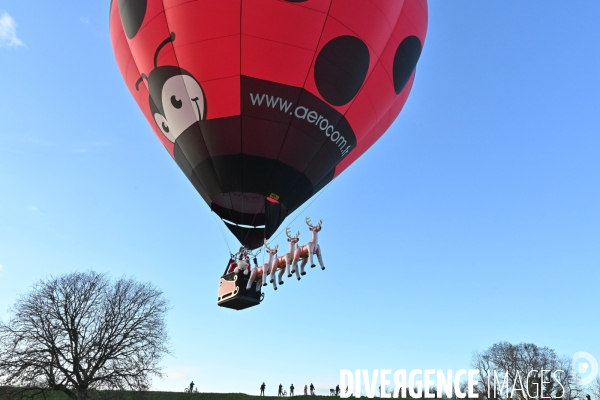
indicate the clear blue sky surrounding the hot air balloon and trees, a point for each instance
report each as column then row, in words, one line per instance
column 475, row 218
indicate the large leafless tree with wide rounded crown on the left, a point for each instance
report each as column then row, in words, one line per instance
column 82, row 332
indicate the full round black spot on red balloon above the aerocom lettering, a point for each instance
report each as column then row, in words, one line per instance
column 341, row 69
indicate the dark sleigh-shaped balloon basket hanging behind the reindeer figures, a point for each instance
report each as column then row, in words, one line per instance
column 233, row 293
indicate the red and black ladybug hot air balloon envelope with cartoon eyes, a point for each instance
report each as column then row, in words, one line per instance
column 262, row 103
